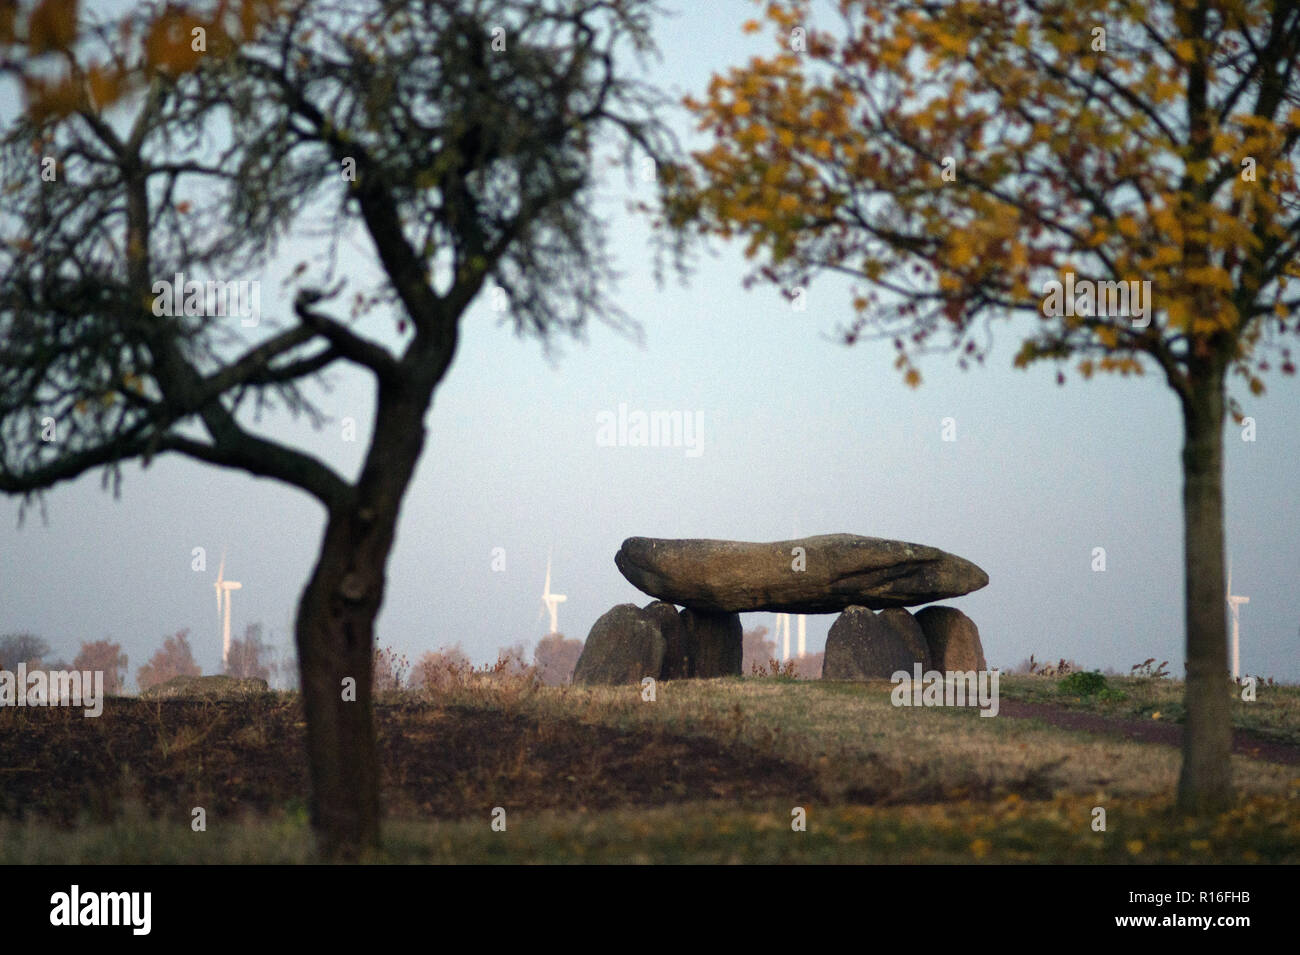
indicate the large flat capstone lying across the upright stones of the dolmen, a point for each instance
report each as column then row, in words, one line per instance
column 839, row 571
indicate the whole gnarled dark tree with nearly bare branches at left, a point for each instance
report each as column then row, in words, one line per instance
column 461, row 137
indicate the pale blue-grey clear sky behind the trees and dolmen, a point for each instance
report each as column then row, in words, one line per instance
column 801, row 436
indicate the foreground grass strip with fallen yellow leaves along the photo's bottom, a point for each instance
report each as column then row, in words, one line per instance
column 1266, row 830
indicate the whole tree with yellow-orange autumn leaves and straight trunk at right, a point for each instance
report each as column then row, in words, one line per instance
column 1120, row 173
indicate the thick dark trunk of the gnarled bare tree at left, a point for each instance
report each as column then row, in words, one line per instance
column 336, row 630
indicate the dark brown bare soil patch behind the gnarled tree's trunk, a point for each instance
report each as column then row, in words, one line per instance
column 444, row 762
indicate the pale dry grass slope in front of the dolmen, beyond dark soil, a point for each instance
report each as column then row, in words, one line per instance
column 865, row 750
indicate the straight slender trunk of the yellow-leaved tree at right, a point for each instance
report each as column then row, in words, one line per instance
column 1206, row 783
